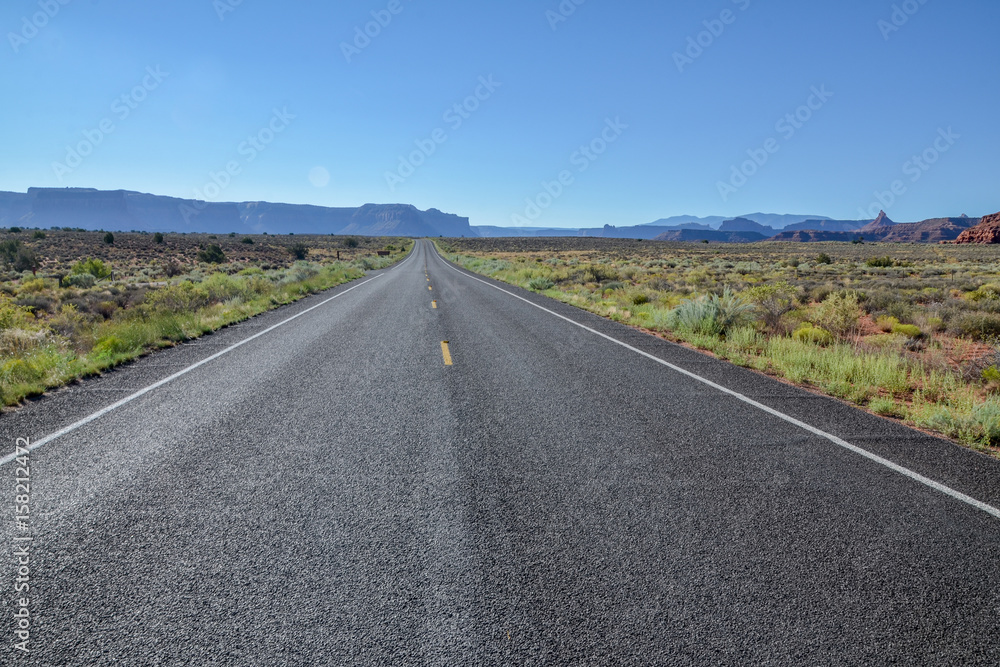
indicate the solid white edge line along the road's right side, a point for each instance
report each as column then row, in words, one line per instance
column 917, row 477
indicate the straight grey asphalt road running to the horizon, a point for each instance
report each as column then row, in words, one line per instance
column 330, row 492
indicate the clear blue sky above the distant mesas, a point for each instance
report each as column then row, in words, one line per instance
column 226, row 66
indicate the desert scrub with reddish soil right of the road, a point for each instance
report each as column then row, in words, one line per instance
column 908, row 331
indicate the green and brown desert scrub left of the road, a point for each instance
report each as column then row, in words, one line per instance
column 73, row 303
